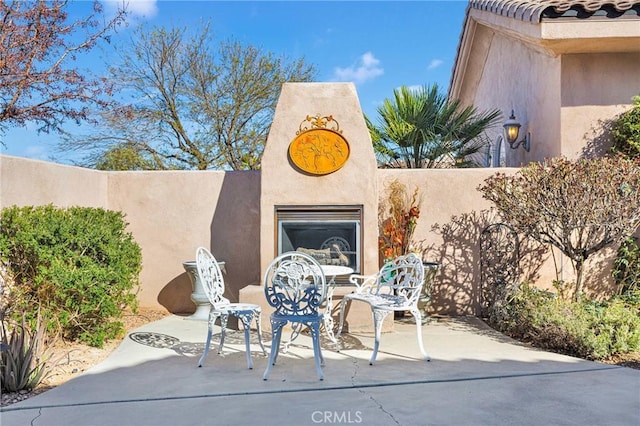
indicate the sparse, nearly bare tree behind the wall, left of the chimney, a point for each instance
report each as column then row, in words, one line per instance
column 194, row 107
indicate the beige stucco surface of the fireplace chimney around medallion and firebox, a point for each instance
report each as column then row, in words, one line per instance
column 283, row 184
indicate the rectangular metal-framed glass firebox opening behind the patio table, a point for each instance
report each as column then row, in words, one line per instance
column 331, row 234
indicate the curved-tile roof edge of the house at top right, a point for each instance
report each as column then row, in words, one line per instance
column 535, row 10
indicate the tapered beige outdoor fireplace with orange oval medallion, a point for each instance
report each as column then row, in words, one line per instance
column 319, row 187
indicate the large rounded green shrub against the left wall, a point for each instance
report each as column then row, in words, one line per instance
column 78, row 265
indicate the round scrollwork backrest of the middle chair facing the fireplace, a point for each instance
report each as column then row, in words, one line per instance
column 295, row 285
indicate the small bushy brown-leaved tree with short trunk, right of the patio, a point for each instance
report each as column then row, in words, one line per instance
column 579, row 206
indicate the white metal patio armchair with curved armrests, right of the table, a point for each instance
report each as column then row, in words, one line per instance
column 396, row 287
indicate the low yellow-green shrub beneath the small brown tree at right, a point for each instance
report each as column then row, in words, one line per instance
column 584, row 328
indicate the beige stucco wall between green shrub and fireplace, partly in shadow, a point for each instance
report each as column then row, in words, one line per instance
column 172, row 213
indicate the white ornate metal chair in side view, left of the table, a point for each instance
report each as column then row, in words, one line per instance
column 221, row 307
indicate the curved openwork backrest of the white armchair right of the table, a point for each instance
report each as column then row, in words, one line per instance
column 402, row 276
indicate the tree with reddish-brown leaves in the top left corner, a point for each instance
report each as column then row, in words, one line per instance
column 38, row 80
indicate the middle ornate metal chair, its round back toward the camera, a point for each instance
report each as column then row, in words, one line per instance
column 295, row 287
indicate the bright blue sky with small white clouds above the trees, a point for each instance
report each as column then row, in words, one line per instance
column 378, row 45
